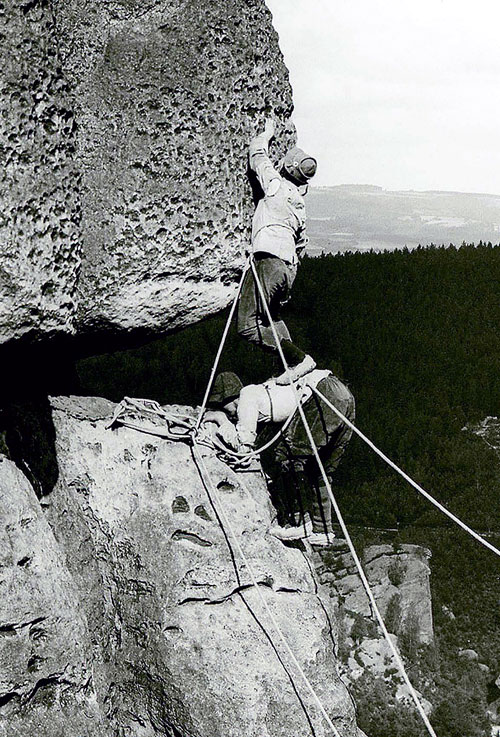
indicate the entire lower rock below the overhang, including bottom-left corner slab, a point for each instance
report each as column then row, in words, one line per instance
column 126, row 609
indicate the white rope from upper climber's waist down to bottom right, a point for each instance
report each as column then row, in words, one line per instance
column 345, row 531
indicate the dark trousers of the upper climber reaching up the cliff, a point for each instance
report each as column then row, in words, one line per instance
column 276, row 278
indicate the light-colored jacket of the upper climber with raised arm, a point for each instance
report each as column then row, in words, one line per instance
column 280, row 217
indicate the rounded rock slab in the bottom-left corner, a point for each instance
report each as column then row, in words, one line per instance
column 46, row 672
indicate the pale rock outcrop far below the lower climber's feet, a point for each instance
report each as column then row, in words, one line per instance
column 399, row 577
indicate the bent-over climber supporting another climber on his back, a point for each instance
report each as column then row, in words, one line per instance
column 237, row 411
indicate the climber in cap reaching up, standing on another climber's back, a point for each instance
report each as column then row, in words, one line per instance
column 278, row 239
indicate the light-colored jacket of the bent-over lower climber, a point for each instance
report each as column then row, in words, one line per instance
column 270, row 402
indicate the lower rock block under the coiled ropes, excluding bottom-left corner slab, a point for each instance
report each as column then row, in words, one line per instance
column 182, row 643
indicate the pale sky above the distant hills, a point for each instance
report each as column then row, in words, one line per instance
column 401, row 94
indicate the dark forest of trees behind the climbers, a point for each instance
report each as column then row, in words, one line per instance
column 416, row 335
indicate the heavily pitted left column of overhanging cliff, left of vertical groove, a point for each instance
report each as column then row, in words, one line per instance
column 39, row 215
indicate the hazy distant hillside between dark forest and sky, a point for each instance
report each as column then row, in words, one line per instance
column 364, row 217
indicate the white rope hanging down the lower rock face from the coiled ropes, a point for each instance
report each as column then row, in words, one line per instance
column 207, row 480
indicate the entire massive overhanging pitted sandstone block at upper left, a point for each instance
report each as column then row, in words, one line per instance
column 125, row 200
